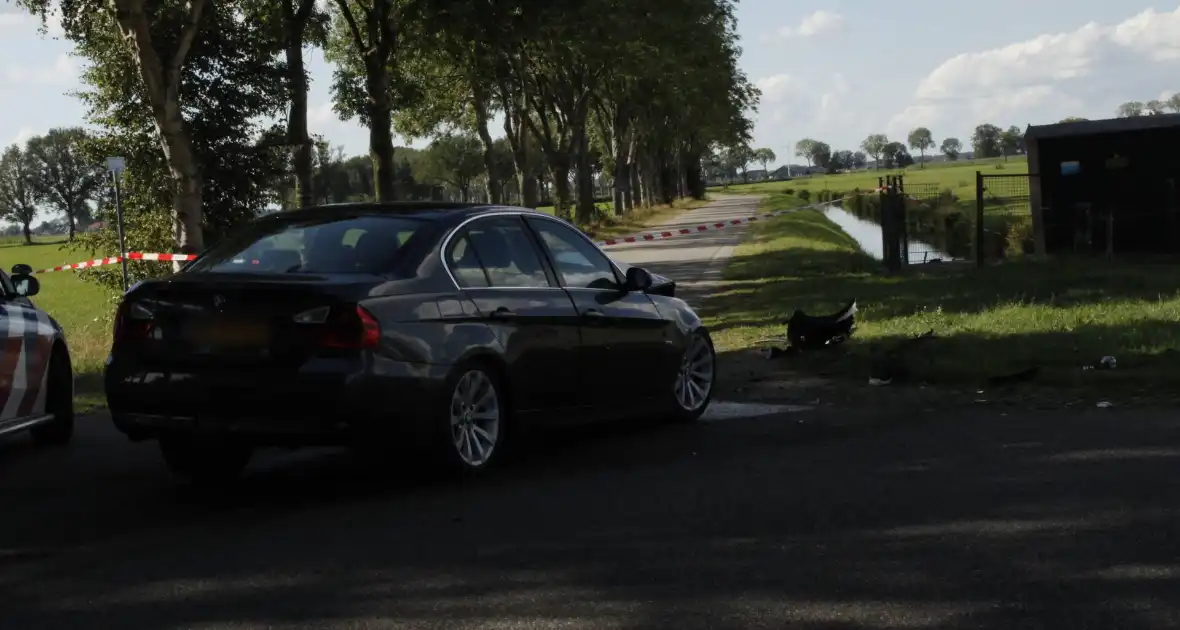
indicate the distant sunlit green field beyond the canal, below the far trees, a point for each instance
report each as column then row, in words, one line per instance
column 956, row 176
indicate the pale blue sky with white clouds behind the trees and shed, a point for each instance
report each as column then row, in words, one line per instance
column 836, row 71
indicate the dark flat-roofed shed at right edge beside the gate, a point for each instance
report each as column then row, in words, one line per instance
column 1106, row 185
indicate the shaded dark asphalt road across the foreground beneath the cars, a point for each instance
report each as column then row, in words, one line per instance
column 821, row 520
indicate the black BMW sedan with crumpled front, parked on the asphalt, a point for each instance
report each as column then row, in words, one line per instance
column 418, row 325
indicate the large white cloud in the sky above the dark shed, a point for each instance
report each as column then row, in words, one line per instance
column 1084, row 73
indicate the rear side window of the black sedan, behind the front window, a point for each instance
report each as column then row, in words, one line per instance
column 502, row 252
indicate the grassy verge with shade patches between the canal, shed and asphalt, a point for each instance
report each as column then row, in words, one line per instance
column 1057, row 317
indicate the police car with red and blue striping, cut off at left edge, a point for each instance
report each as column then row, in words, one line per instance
column 36, row 376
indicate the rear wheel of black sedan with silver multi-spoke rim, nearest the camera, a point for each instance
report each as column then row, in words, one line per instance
column 474, row 419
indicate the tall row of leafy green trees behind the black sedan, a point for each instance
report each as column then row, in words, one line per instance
column 183, row 89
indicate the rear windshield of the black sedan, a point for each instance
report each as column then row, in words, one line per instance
column 353, row 245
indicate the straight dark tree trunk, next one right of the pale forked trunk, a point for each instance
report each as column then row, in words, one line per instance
column 297, row 121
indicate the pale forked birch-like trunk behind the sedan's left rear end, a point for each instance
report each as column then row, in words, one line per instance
column 162, row 86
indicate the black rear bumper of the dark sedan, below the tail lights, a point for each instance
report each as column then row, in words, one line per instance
column 325, row 403
